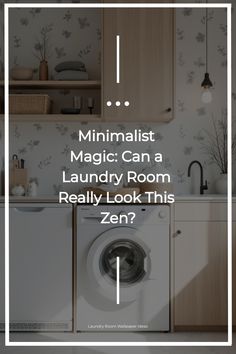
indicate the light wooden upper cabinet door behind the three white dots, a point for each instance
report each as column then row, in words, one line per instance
column 146, row 64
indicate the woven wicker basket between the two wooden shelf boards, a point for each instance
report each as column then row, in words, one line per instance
column 29, row 104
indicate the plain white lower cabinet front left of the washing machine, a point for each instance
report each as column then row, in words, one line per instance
column 40, row 267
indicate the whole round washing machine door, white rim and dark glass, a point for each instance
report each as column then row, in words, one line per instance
column 135, row 264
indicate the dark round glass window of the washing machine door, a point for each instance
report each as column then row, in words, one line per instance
column 132, row 261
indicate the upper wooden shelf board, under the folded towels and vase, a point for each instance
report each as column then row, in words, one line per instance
column 49, row 85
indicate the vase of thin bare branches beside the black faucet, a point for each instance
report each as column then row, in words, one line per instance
column 216, row 148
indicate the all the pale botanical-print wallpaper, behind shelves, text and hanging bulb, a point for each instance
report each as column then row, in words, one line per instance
column 46, row 146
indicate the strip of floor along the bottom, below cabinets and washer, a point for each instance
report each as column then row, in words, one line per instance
column 180, row 337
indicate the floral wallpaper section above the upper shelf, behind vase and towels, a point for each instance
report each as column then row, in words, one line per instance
column 72, row 35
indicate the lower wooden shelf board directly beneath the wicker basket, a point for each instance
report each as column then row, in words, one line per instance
column 44, row 118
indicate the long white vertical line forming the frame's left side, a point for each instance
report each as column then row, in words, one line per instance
column 6, row 157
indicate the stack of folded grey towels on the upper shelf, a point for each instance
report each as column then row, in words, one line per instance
column 71, row 70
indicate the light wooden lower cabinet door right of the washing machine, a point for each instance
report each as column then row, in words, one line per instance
column 200, row 271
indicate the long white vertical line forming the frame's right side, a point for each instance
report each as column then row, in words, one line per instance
column 229, row 152
